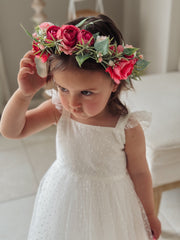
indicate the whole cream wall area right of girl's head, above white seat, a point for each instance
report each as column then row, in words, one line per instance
column 154, row 26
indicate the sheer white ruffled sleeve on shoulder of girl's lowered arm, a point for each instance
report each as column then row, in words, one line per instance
column 142, row 117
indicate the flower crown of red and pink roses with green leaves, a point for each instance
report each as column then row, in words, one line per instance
column 122, row 62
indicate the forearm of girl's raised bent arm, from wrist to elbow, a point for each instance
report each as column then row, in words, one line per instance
column 14, row 115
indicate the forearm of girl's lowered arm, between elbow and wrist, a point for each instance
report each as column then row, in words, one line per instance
column 143, row 187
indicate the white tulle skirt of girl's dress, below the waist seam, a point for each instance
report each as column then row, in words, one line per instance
column 73, row 207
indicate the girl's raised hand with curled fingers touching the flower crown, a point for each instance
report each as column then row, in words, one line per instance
column 28, row 79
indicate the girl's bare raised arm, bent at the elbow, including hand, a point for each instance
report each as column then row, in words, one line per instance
column 17, row 121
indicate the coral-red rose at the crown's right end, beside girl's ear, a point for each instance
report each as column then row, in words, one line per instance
column 121, row 70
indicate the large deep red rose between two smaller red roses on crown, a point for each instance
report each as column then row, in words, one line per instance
column 68, row 35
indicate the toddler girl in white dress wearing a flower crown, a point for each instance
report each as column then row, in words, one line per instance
column 99, row 187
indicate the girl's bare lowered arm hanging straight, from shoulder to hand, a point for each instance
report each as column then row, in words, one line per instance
column 138, row 169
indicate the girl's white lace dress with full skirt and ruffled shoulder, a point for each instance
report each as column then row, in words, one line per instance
column 87, row 193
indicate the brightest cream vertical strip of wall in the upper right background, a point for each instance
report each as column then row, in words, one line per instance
column 155, row 23
